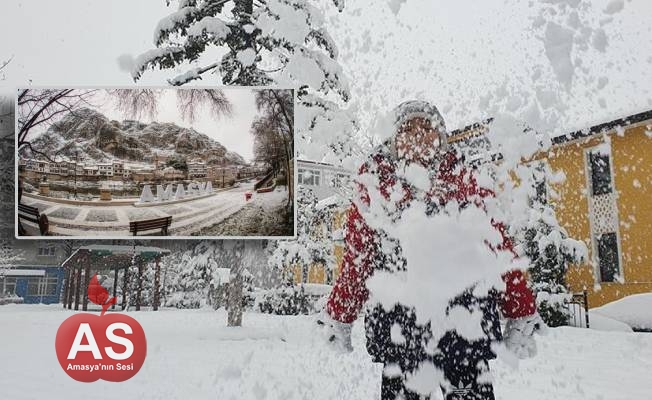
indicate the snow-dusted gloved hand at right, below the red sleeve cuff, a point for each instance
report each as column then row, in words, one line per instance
column 519, row 335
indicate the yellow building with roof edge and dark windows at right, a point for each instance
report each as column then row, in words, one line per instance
column 605, row 200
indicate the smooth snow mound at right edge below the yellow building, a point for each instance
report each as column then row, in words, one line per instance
column 634, row 310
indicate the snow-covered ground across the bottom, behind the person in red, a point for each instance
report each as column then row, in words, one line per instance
column 193, row 355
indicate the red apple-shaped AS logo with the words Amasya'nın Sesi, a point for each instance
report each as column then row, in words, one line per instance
column 106, row 346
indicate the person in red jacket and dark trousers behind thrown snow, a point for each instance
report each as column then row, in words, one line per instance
column 421, row 138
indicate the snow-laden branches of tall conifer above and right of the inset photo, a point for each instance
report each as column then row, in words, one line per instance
column 280, row 42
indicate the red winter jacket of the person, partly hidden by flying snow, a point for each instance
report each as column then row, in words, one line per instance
column 350, row 292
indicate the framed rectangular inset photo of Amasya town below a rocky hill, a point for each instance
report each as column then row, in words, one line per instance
column 196, row 162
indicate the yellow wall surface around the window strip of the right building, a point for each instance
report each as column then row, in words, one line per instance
column 632, row 168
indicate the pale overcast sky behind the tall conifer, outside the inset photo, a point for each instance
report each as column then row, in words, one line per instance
column 450, row 53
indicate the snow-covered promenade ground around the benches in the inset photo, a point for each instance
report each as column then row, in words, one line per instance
column 212, row 215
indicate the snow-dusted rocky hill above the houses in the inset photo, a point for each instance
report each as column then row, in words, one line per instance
column 97, row 138
